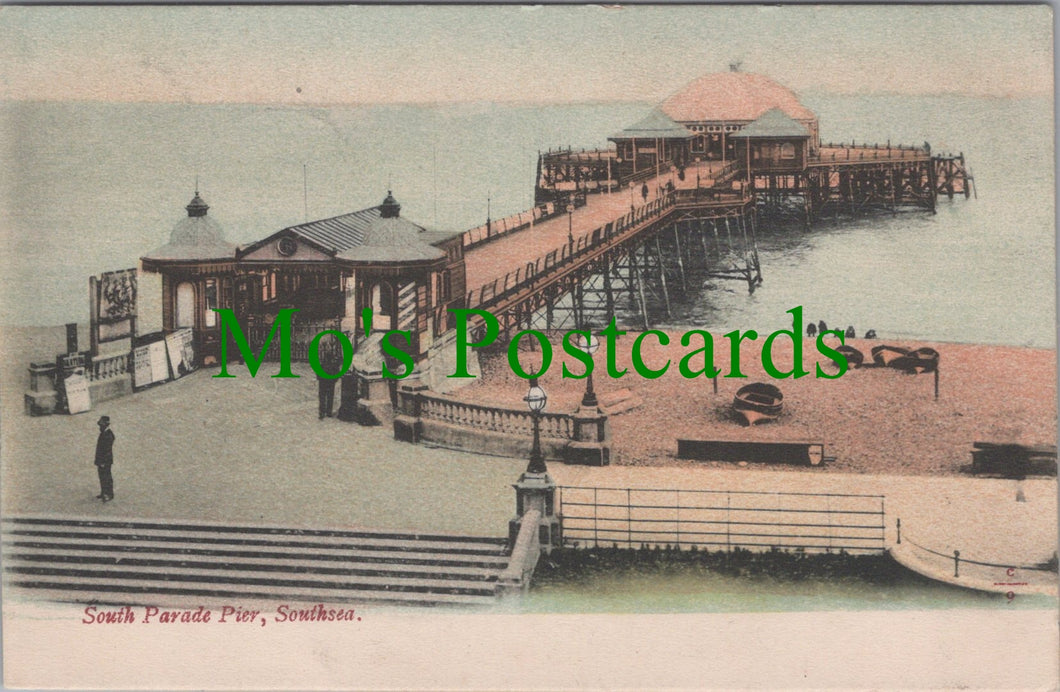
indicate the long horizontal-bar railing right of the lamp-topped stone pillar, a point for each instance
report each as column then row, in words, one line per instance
column 722, row 520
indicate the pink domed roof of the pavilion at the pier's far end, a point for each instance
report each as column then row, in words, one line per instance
column 733, row 97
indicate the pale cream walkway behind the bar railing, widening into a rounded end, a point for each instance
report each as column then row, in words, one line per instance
column 981, row 518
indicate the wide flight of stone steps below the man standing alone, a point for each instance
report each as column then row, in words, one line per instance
column 158, row 563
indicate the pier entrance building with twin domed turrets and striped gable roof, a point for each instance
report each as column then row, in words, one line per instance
column 328, row 270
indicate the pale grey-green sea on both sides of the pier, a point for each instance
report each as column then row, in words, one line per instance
column 92, row 187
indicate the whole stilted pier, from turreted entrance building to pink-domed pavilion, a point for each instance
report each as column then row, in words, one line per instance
column 682, row 193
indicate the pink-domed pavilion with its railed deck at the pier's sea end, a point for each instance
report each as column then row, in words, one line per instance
column 708, row 131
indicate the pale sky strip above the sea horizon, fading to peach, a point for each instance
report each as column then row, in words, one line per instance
column 554, row 55
